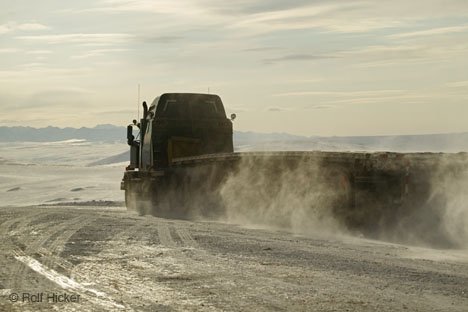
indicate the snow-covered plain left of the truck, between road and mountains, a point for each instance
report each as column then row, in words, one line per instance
column 58, row 172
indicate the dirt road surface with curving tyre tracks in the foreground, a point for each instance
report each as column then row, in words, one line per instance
column 107, row 259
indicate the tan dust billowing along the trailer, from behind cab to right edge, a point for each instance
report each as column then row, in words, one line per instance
column 309, row 197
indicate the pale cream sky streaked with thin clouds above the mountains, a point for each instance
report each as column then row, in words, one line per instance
column 317, row 67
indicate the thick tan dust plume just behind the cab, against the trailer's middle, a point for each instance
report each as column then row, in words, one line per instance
column 297, row 195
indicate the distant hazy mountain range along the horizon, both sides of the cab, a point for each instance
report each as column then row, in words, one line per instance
column 245, row 141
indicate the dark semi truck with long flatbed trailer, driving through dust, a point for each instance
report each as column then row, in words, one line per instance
column 183, row 165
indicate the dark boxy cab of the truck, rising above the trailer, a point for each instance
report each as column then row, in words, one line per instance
column 183, row 125
